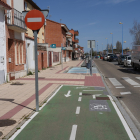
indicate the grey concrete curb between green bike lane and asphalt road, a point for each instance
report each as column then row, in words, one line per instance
column 130, row 123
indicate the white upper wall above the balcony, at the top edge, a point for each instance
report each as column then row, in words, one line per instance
column 19, row 5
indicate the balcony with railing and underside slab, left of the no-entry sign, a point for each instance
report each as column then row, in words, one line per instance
column 15, row 21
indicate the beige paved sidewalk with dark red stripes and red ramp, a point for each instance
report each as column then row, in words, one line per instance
column 18, row 101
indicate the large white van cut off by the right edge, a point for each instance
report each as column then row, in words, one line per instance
column 135, row 57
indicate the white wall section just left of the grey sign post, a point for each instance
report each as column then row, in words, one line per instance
column 30, row 55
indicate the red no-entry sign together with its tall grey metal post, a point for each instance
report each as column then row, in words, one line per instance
column 34, row 20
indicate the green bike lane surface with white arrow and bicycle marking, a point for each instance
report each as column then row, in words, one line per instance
column 87, row 113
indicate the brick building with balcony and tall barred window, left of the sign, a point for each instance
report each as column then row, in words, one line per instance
column 15, row 40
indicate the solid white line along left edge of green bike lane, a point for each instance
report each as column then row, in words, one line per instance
column 31, row 118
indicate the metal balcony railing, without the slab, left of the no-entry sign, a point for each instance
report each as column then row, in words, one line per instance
column 16, row 18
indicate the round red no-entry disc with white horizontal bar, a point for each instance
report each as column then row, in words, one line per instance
column 34, row 19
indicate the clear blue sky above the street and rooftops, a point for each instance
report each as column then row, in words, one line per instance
column 96, row 19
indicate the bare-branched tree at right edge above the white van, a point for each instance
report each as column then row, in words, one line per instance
column 135, row 32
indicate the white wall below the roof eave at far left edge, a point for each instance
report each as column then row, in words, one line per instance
column 2, row 43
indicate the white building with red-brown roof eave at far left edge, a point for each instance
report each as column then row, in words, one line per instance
column 3, row 60
